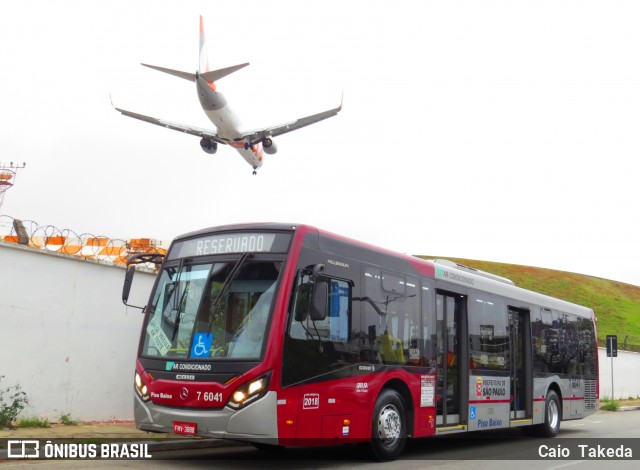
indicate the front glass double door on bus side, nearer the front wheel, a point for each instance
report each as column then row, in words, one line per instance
column 449, row 318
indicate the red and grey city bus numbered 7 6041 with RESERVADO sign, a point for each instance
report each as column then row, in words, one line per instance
column 287, row 335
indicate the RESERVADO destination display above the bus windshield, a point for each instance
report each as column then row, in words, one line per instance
column 226, row 243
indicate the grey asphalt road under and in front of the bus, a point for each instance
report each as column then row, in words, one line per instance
column 492, row 450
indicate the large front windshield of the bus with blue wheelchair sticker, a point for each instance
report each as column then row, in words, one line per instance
column 213, row 310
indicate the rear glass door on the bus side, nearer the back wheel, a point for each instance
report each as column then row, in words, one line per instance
column 520, row 363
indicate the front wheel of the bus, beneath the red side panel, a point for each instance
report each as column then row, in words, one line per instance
column 389, row 426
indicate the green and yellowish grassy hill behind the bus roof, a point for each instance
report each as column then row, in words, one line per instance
column 616, row 304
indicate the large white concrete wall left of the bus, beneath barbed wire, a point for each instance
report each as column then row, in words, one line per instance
column 65, row 335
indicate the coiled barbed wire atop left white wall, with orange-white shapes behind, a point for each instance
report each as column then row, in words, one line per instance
column 67, row 241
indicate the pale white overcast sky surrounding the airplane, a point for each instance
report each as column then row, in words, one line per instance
column 499, row 130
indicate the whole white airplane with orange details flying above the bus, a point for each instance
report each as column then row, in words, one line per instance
column 250, row 145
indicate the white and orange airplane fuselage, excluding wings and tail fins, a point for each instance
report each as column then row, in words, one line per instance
column 227, row 124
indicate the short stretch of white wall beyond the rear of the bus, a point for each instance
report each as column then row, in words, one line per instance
column 625, row 374
